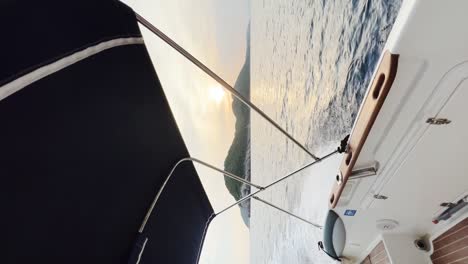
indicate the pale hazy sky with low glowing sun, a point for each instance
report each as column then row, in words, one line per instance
column 214, row 31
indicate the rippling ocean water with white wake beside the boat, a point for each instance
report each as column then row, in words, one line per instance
column 311, row 63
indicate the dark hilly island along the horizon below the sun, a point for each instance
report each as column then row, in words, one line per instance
column 238, row 157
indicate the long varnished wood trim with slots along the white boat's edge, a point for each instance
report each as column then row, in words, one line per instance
column 381, row 85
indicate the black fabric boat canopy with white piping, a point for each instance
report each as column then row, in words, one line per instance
column 85, row 148
